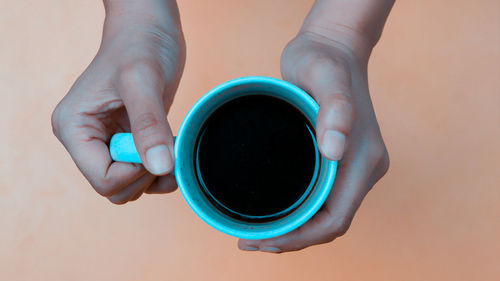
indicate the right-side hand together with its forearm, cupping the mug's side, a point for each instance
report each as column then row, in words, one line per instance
column 328, row 59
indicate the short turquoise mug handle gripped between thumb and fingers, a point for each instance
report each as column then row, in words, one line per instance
column 122, row 148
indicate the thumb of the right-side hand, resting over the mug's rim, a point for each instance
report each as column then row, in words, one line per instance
column 329, row 82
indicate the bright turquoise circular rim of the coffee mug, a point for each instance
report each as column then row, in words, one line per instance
column 280, row 229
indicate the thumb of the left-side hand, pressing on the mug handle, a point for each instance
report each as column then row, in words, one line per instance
column 141, row 87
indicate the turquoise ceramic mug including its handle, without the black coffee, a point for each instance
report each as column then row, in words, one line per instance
column 122, row 149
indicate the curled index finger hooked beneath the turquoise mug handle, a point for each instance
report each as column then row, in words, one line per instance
column 87, row 147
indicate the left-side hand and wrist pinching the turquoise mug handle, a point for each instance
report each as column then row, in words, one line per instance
column 129, row 86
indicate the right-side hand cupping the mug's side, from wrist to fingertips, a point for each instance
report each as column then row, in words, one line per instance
column 347, row 131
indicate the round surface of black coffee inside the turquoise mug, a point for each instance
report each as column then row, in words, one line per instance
column 256, row 156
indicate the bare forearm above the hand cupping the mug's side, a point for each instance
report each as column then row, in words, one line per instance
column 355, row 24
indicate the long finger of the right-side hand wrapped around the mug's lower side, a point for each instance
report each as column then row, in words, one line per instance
column 333, row 220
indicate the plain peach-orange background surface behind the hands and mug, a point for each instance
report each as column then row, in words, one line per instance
column 434, row 77
